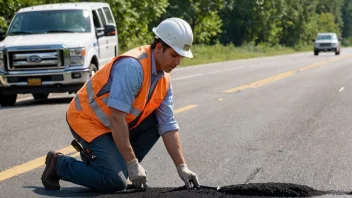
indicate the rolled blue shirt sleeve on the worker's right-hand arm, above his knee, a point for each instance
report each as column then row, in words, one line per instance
column 165, row 114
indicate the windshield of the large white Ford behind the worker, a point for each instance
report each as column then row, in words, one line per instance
column 53, row 21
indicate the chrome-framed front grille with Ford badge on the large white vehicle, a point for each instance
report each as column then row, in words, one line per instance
column 37, row 58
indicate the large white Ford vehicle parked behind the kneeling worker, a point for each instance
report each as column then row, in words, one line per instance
column 55, row 48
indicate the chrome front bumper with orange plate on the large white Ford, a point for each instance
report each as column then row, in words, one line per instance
column 48, row 82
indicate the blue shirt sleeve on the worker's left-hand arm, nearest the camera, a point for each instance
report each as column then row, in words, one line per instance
column 127, row 79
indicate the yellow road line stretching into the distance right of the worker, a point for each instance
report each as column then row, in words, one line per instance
column 283, row 75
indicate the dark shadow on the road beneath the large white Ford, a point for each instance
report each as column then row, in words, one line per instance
column 33, row 102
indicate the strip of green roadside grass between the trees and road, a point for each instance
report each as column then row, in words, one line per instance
column 203, row 54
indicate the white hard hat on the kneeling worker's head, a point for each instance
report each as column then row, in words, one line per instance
column 177, row 34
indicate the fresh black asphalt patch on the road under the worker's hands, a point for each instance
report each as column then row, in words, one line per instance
column 242, row 190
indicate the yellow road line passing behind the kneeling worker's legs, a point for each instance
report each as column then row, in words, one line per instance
column 36, row 163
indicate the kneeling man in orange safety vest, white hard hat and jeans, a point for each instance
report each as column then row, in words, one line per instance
column 120, row 113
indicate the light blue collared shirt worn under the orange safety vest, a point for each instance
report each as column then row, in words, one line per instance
column 126, row 78
